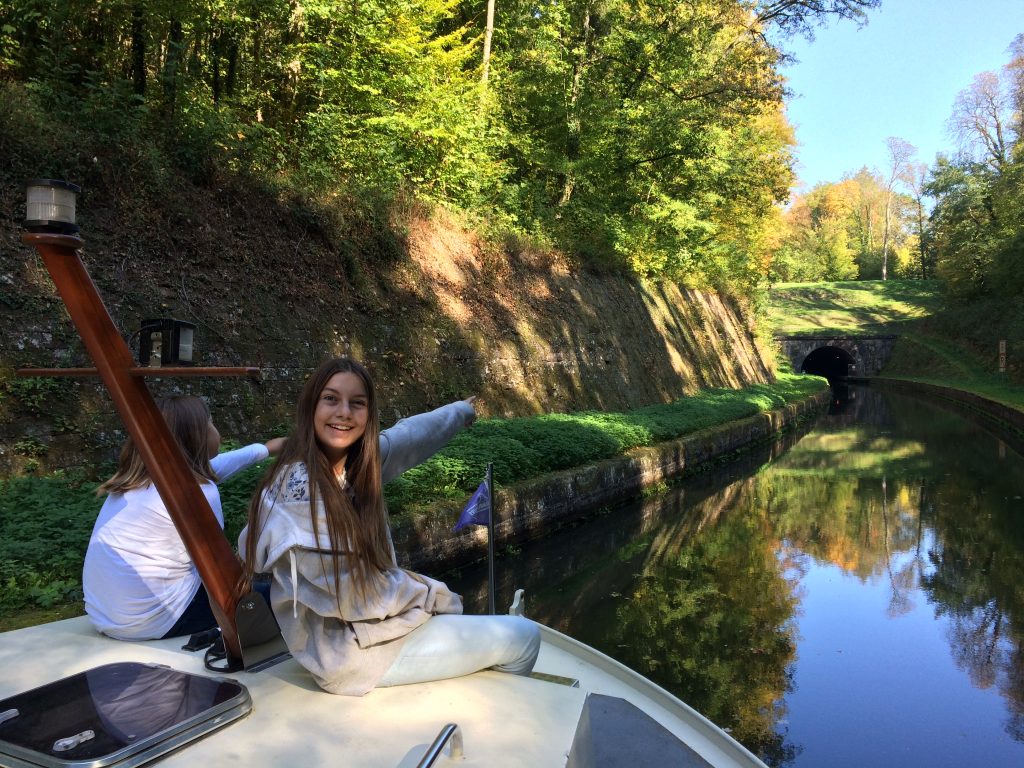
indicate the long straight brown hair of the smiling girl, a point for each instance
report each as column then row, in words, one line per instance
column 357, row 527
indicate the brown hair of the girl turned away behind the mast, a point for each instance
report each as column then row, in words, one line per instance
column 189, row 419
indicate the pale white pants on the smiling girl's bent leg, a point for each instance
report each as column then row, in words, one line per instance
column 451, row 646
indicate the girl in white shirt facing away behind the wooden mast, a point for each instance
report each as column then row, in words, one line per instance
column 139, row 580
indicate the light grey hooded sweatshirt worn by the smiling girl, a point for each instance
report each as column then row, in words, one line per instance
column 349, row 645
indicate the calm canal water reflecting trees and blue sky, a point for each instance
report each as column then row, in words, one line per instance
column 850, row 596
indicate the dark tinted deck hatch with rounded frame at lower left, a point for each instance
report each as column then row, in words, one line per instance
column 125, row 714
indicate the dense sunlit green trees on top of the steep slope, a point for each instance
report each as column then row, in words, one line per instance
column 642, row 136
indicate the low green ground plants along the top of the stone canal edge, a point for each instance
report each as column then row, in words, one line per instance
column 46, row 522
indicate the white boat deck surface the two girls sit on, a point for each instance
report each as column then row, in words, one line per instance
column 505, row 720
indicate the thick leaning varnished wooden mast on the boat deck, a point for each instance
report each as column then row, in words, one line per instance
column 217, row 563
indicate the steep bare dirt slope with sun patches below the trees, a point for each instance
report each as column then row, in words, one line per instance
column 436, row 313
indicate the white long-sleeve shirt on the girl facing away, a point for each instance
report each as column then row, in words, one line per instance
column 139, row 578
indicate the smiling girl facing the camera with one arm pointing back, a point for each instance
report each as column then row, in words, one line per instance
column 318, row 524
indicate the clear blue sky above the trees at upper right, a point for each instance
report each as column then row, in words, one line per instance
column 898, row 76
